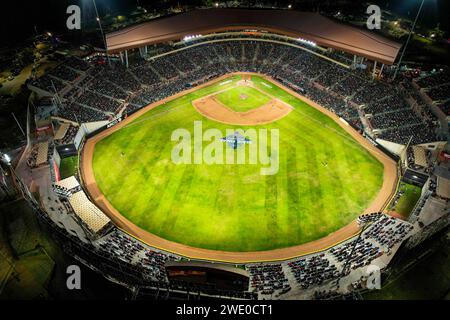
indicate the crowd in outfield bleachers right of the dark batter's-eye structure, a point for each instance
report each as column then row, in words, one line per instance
column 382, row 233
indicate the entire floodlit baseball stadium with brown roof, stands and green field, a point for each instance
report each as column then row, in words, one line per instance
column 244, row 153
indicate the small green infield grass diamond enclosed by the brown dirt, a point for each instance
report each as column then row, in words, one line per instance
column 241, row 99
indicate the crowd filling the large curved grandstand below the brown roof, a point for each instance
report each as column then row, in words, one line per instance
column 107, row 88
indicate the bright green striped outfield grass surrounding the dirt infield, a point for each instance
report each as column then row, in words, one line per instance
column 325, row 179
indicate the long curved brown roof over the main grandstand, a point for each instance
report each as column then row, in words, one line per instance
column 306, row 25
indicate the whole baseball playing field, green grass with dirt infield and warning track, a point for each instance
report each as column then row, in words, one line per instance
column 328, row 174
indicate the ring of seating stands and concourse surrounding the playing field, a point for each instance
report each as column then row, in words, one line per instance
column 87, row 92
